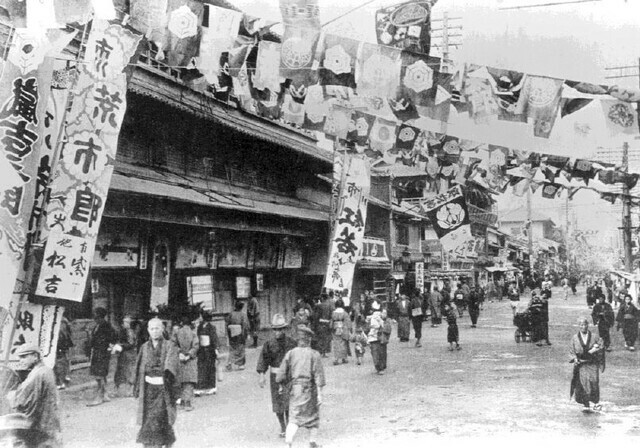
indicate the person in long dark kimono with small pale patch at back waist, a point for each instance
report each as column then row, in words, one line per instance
column 207, row 356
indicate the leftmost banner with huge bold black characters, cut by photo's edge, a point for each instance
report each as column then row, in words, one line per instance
column 24, row 94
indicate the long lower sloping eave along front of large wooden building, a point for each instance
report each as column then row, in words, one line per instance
column 211, row 193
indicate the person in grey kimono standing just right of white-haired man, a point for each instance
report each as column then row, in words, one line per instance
column 187, row 343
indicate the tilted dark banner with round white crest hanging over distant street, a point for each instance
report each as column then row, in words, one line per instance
column 449, row 217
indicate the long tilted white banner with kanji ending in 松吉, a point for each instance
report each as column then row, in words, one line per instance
column 81, row 178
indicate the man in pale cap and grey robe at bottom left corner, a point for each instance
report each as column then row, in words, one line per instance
column 37, row 399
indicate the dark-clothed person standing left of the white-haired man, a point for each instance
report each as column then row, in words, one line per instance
column 102, row 339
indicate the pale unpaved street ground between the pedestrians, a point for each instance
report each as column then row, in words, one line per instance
column 491, row 389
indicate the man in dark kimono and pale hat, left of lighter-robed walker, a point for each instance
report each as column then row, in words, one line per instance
column 273, row 352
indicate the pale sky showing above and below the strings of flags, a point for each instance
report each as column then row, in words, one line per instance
column 575, row 41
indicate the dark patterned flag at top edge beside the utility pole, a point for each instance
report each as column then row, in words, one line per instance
column 406, row 26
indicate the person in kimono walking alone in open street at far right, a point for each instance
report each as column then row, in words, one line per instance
column 587, row 352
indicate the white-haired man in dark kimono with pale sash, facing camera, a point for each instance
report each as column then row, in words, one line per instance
column 156, row 375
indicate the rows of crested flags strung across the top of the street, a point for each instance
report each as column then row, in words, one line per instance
column 388, row 101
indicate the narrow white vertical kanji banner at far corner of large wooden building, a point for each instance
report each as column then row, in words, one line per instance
column 349, row 227
